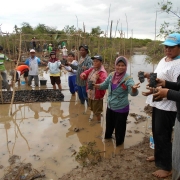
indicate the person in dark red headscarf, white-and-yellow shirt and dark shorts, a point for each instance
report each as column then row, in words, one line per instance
column 54, row 68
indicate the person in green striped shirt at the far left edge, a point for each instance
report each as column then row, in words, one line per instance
column 4, row 58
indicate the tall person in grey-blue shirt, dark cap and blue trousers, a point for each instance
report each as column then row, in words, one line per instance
column 85, row 62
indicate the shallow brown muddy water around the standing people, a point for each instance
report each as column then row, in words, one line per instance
column 43, row 133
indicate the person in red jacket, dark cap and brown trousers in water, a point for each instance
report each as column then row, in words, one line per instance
column 96, row 74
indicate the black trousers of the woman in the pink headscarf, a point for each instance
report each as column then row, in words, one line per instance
column 117, row 121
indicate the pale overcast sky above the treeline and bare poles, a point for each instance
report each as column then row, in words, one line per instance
column 59, row 13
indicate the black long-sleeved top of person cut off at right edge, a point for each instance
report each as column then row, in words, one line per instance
column 174, row 94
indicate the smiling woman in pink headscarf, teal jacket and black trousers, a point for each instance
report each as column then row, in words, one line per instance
column 119, row 85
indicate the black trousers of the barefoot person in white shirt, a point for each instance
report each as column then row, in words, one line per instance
column 162, row 124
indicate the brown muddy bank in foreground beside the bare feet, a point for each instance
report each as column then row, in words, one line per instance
column 129, row 164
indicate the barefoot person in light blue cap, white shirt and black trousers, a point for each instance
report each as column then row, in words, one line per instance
column 164, row 111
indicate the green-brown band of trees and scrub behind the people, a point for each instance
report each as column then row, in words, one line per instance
column 97, row 41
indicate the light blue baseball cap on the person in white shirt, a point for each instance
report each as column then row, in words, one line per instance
column 172, row 40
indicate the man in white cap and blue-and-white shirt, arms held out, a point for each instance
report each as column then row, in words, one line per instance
column 33, row 63
